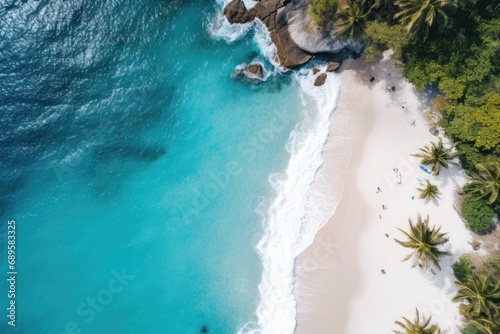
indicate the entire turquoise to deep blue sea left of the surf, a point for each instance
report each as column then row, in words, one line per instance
column 132, row 164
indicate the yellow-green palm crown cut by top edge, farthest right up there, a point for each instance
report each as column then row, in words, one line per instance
column 417, row 14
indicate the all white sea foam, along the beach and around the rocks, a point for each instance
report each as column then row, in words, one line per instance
column 300, row 206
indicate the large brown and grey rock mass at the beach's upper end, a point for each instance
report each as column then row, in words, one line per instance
column 296, row 38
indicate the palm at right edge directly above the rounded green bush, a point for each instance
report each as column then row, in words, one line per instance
column 487, row 181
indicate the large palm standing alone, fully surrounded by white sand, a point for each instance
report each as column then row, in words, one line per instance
column 424, row 241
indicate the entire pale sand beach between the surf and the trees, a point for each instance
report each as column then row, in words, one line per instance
column 340, row 287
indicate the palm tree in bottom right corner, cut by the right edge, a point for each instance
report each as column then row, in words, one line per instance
column 482, row 295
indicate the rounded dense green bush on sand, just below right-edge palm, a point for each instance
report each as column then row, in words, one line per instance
column 478, row 215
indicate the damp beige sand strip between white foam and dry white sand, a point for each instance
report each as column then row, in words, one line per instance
column 322, row 258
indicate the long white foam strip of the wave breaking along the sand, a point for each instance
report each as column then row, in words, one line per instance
column 285, row 218
